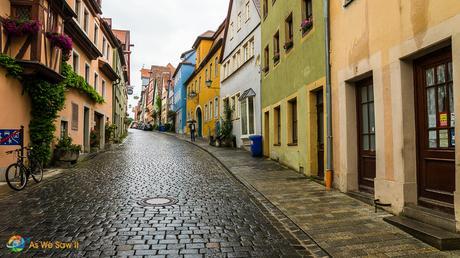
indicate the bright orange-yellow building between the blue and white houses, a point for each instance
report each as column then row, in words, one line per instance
column 203, row 86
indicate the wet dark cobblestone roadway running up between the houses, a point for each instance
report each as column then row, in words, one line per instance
column 97, row 204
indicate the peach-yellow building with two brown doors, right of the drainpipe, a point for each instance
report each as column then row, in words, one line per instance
column 394, row 96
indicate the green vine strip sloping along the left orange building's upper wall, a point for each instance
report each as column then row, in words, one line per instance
column 73, row 80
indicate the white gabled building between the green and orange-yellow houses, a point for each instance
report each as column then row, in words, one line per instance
column 240, row 68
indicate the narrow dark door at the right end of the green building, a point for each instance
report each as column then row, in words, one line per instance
column 320, row 132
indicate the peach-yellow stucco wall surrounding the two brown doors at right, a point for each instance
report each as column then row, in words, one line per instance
column 385, row 46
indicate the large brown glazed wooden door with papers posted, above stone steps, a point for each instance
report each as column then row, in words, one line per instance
column 435, row 130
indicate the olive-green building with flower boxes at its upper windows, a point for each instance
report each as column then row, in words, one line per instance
column 293, row 84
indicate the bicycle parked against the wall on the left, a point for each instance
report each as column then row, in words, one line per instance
column 17, row 174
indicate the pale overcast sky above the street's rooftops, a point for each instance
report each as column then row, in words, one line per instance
column 162, row 29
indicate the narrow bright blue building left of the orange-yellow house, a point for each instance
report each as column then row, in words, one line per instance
column 182, row 73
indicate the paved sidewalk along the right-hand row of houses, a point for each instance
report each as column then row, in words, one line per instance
column 341, row 225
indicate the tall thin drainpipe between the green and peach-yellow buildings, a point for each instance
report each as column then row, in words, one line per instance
column 329, row 165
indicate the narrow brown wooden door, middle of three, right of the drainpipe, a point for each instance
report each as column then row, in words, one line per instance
column 366, row 135
